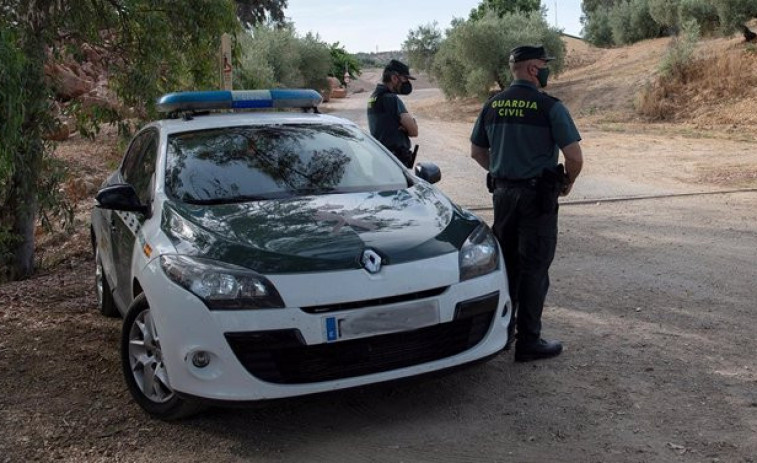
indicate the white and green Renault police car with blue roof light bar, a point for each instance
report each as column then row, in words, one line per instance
column 267, row 254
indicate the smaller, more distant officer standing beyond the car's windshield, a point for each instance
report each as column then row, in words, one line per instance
column 388, row 119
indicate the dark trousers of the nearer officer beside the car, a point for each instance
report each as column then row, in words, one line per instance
column 528, row 237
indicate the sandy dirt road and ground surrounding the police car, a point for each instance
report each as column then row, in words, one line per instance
column 653, row 298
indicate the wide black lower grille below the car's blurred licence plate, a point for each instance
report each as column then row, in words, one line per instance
column 282, row 357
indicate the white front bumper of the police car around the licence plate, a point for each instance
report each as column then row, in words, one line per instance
column 276, row 353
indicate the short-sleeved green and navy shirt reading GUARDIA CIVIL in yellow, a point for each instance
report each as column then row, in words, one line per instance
column 523, row 129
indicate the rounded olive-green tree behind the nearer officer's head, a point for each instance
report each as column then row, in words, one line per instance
column 475, row 55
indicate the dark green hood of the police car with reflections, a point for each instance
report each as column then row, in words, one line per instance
column 321, row 233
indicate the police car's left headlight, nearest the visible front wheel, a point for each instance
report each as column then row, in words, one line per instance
column 221, row 286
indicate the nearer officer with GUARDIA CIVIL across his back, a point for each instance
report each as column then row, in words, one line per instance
column 516, row 139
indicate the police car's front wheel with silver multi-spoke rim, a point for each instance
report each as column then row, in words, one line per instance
column 144, row 371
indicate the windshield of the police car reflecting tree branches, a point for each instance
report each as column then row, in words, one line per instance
column 237, row 164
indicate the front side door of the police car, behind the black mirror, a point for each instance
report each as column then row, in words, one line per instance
column 138, row 170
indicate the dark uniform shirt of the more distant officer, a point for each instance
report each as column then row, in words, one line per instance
column 384, row 111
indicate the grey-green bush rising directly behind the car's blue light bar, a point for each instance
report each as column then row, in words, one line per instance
column 277, row 57
